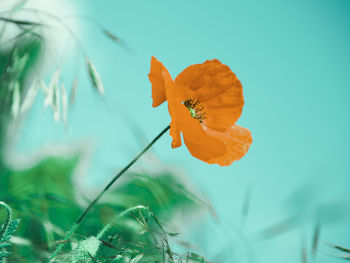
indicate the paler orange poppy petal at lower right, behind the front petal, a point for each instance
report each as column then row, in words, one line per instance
column 237, row 141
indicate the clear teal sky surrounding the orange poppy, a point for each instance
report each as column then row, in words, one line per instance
column 293, row 59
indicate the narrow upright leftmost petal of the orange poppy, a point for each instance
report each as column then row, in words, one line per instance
column 160, row 78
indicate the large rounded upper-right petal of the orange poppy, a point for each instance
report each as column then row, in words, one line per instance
column 217, row 88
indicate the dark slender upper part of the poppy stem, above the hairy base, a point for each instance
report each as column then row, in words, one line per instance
column 120, row 174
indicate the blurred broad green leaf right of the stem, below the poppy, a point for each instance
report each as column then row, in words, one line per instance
column 163, row 194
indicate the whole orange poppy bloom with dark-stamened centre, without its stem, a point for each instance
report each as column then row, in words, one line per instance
column 204, row 103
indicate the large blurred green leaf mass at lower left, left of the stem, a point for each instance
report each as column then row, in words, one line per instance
column 40, row 194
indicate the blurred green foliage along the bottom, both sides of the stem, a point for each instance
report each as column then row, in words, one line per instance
column 131, row 216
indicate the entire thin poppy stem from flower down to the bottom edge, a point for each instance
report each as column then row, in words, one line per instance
column 83, row 215
